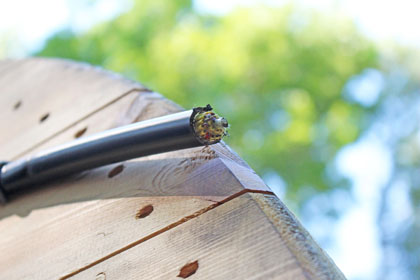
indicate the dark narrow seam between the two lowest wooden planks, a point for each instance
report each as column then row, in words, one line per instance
column 165, row 229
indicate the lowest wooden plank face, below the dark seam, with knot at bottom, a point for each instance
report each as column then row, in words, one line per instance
column 232, row 241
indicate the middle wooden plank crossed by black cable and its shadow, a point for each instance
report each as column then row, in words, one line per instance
column 194, row 177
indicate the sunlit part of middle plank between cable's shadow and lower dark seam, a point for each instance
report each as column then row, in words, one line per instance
column 84, row 233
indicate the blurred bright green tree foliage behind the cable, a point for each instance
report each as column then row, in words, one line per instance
column 277, row 75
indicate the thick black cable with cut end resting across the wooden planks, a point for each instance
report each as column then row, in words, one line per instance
column 188, row 129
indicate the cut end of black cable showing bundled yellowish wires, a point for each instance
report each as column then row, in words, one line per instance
column 209, row 127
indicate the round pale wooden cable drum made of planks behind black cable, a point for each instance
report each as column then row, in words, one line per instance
column 199, row 213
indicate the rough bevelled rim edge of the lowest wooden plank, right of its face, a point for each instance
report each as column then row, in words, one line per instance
column 315, row 261
